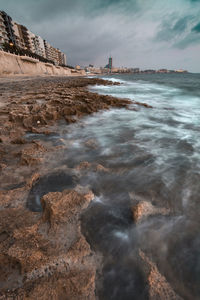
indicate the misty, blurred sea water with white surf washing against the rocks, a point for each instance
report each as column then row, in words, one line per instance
column 153, row 155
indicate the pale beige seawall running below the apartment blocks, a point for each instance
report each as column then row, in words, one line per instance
column 11, row 64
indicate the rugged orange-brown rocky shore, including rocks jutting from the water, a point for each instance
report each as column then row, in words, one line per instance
column 43, row 253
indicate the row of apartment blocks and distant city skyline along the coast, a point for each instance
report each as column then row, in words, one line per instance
column 18, row 39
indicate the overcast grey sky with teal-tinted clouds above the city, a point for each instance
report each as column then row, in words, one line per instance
column 137, row 33
